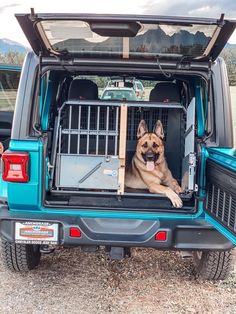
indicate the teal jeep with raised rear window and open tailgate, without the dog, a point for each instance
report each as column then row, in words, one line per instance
column 63, row 173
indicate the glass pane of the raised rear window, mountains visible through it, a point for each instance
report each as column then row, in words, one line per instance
column 76, row 37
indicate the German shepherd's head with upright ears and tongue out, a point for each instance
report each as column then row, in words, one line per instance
column 150, row 144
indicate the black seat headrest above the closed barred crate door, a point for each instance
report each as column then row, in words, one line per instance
column 83, row 89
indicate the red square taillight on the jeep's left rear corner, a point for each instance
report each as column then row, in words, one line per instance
column 15, row 166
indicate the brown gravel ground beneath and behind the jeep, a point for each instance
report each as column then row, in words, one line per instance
column 70, row 281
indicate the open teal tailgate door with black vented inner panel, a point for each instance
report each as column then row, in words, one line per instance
column 221, row 191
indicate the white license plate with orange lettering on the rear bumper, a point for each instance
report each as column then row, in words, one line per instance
column 32, row 232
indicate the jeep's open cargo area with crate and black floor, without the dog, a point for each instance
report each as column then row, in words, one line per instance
column 94, row 141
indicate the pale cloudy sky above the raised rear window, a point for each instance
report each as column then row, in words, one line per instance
column 10, row 29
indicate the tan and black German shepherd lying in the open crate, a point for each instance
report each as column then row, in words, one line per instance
column 149, row 168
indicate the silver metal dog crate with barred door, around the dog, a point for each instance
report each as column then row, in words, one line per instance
column 95, row 140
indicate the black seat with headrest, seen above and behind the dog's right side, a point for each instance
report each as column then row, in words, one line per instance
column 169, row 92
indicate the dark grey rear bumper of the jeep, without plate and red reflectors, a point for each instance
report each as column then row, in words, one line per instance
column 181, row 234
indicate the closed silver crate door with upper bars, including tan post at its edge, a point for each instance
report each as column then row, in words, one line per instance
column 86, row 162
